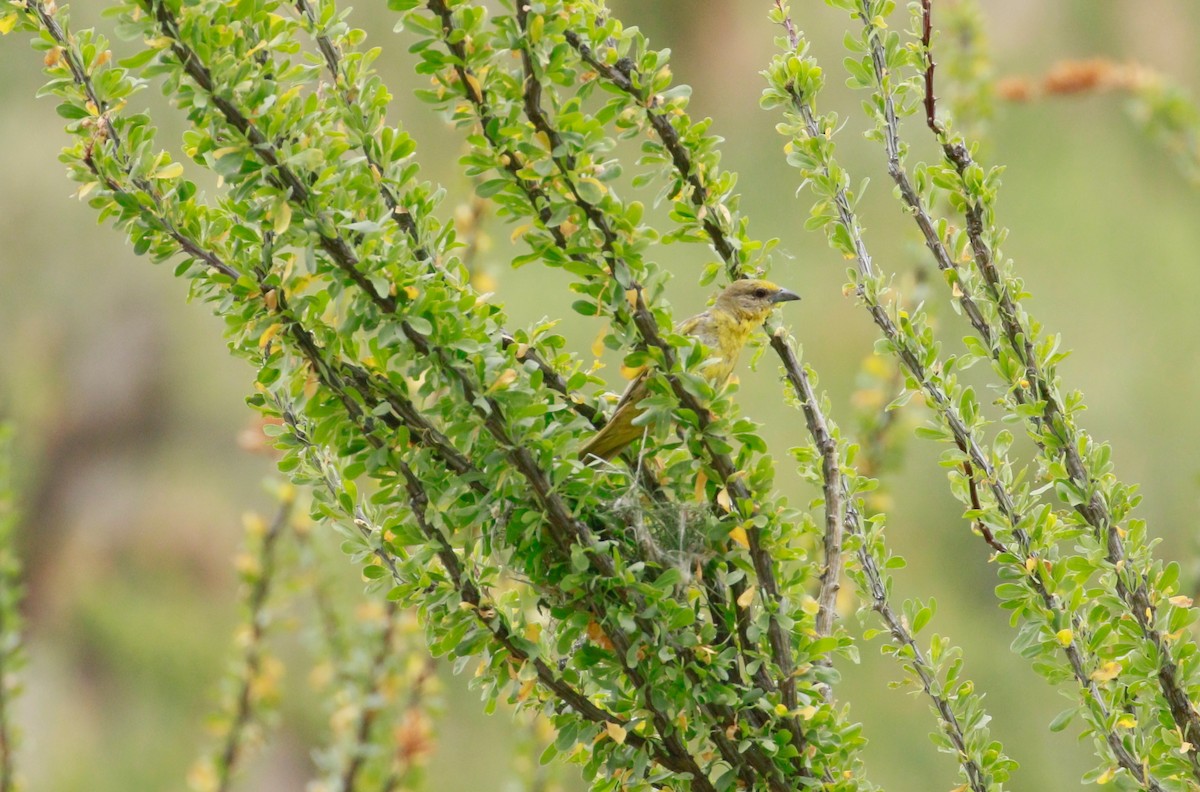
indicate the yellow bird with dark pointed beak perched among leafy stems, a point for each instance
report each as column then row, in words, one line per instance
column 725, row 328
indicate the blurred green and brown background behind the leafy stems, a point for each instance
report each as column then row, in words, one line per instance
column 129, row 410
